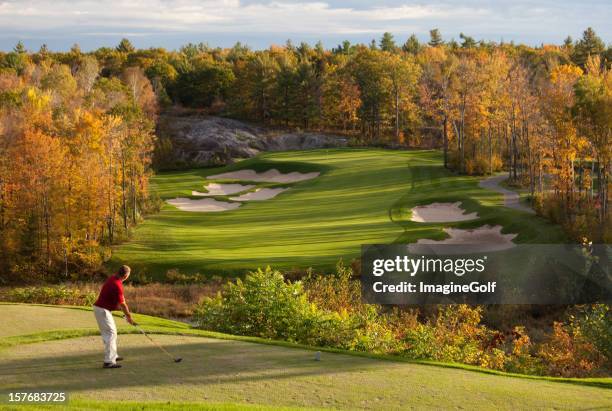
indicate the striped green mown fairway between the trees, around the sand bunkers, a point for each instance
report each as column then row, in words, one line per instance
column 362, row 197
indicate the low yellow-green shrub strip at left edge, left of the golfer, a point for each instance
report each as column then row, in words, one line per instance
column 57, row 295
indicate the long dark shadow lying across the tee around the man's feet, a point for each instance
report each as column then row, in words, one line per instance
column 209, row 362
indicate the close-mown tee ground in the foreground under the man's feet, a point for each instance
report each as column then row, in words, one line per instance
column 236, row 371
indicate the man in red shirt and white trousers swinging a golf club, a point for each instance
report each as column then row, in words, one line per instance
column 111, row 298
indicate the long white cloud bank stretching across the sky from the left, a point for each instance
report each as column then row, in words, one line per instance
column 212, row 16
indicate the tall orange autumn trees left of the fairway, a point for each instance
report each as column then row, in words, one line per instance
column 75, row 149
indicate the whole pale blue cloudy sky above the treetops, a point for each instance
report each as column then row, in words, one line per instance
column 172, row 23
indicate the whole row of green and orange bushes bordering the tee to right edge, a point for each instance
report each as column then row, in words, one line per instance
column 328, row 311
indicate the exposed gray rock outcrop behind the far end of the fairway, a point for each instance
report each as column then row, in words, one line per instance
column 206, row 140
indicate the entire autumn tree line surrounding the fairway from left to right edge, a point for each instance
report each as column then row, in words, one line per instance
column 76, row 129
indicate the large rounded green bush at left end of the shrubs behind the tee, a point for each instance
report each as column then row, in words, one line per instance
column 265, row 305
